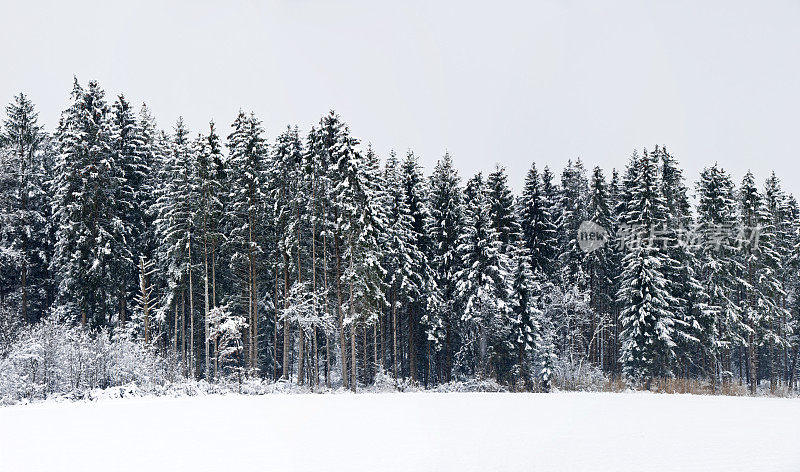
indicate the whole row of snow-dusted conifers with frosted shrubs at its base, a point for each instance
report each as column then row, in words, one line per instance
column 137, row 253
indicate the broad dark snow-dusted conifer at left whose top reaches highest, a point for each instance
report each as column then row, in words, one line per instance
column 85, row 186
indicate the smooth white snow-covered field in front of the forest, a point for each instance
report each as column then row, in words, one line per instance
column 406, row 432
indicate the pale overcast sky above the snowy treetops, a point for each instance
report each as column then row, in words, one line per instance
column 492, row 82
